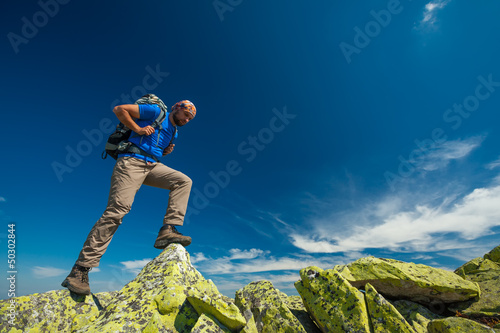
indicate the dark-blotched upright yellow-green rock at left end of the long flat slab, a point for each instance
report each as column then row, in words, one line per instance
column 332, row 302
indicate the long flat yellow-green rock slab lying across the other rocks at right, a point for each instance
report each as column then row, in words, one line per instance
column 400, row 280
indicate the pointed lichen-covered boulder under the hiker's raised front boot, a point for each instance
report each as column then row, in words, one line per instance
column 160, row 287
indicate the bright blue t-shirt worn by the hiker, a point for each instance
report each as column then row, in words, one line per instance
column 155, row 143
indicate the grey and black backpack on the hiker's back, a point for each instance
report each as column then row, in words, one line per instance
column 118, row 140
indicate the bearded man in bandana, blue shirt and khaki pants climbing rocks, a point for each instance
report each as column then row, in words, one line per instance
column 133, row 168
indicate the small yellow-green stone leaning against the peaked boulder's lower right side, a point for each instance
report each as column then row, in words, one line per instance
column 227, row 313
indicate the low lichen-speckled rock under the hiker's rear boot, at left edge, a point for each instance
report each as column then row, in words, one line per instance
column 53, row 311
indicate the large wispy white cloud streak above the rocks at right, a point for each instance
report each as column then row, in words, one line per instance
column 422, row 228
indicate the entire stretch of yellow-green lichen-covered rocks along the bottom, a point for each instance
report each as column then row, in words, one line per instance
column 368, row 295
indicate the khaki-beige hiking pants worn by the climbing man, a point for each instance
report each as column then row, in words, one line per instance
column 129, row 174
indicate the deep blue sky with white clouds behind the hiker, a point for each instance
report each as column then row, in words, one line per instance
column 325, row 132
